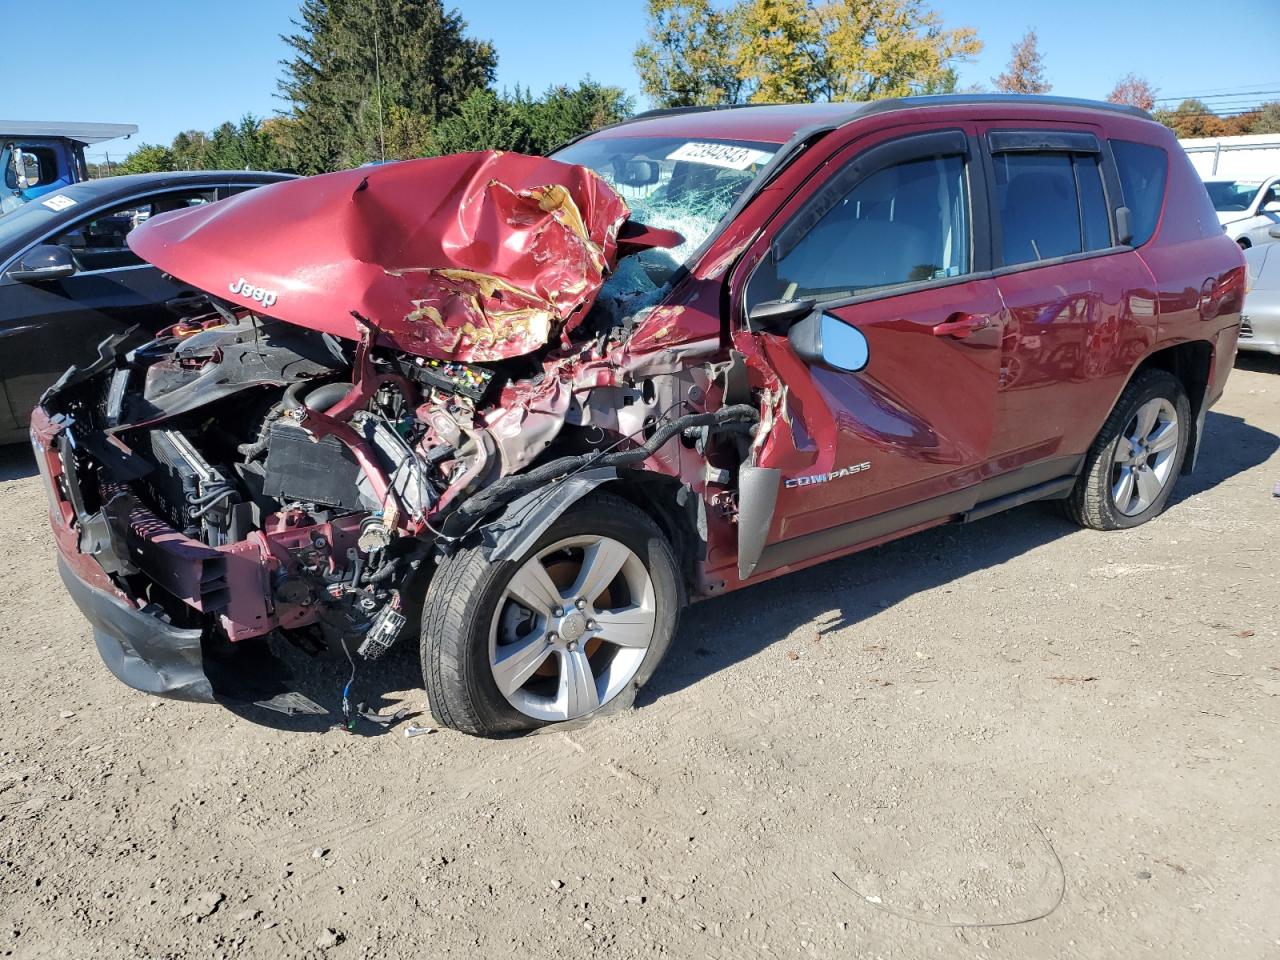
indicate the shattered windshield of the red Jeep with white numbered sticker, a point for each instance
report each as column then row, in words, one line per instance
column 673, row 184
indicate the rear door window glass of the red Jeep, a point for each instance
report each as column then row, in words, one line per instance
column 1050, row 204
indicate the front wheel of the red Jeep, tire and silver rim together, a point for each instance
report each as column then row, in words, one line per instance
column 582, row 619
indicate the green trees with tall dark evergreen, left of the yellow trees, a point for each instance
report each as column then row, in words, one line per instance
column 386, row 80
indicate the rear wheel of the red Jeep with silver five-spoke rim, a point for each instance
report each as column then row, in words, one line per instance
column 1131, row 470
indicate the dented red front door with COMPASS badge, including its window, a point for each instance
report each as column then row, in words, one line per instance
column 890, row 237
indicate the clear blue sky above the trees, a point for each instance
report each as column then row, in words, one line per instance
column 179, row 65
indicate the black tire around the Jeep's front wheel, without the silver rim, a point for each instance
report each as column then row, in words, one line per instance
column 463, row 600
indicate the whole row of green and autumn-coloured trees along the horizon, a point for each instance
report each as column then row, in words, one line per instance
column 392, row 80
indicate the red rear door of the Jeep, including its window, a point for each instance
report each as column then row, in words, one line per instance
column 1080, row 305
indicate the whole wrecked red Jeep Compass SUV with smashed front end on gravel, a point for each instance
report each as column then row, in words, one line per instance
column 528, row 408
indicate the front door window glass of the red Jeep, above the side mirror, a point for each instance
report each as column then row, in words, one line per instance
column 902, row 225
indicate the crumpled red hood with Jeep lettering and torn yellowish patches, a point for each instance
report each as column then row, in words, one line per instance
column 473, row 257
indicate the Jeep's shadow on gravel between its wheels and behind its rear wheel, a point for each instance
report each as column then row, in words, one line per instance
column 719, row 633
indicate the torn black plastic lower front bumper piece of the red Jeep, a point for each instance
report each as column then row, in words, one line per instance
column 140, row 648
